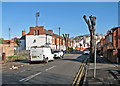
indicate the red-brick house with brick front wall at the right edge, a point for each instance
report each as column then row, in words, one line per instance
column 111, row 45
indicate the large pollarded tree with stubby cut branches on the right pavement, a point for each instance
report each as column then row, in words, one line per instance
column 92, row 35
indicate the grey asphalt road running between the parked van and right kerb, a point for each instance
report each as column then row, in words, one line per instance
column 59, row 71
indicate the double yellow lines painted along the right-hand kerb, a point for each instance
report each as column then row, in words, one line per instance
column 79, row 75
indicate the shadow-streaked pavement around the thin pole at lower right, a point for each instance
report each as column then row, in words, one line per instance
column 107, row 74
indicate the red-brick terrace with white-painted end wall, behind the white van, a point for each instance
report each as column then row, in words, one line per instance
column 39, row 36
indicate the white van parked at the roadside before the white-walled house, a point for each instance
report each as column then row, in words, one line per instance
column 41, row 53
